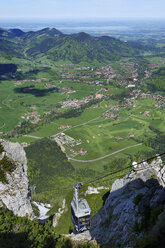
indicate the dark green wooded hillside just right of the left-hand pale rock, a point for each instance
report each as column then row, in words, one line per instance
column 47, row 163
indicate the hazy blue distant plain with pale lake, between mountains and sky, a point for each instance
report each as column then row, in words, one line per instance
column 116, row 28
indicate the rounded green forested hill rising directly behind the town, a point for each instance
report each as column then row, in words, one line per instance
column 79, row 47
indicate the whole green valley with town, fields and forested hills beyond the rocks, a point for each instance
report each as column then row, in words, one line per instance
column 82, row 107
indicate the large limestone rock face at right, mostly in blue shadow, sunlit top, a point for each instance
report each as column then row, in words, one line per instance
column 115, row 221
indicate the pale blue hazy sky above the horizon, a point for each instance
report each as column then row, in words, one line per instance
column 74, row 9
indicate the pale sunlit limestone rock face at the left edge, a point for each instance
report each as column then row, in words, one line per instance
column 15, row 194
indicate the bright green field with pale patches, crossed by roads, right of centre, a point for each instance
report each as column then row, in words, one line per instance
column 101, row 136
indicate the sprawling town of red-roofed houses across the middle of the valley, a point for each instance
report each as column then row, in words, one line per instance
column 126, row 75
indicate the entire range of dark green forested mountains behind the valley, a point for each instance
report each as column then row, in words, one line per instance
column 57, row 46
